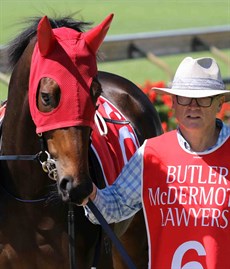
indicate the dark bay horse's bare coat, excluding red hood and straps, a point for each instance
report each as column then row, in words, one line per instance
column 34, row 208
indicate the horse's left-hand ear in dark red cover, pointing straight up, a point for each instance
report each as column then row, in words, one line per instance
column 45, row 36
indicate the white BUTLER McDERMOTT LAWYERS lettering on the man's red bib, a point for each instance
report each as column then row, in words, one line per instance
column 193, row 198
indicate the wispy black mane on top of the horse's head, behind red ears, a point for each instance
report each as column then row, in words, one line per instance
column 16, row 47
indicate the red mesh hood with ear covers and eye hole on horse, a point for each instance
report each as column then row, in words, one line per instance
column 68, row 57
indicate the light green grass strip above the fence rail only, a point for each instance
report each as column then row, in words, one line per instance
column 131, row 16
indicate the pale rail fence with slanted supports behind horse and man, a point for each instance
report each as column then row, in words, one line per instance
column 156, row 44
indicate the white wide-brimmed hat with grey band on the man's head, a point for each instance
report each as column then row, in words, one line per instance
column 196, row 78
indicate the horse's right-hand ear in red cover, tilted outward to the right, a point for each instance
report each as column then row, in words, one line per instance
column 96, row 35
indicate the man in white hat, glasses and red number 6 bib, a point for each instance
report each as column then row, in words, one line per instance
column 181, row 178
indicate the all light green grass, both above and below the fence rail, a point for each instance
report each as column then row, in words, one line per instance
column 131, row 16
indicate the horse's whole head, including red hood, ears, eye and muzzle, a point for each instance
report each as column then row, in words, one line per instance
column 63, row 91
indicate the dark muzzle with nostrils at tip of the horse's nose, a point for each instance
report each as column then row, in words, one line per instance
column 75, row 190
